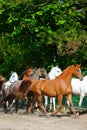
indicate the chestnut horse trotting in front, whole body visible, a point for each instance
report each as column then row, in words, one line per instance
column 58, row 87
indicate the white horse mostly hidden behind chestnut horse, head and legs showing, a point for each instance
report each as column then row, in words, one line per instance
column 55, row 71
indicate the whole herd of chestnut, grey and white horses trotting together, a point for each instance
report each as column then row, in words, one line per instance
column 35, row 83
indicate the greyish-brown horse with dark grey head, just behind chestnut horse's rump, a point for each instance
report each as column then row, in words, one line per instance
column 20, row 87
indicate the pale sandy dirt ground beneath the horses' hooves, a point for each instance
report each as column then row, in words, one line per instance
column 38, row 121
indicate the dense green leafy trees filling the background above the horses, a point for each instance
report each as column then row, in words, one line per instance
column 42, row 33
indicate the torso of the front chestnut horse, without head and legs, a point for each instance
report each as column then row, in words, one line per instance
column 54, row 88
